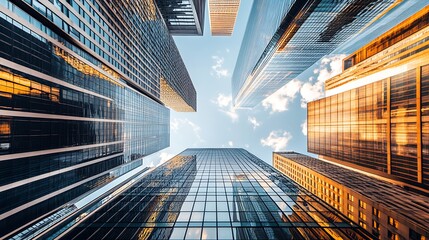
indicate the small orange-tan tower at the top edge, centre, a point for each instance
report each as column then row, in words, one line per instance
column 222, row 16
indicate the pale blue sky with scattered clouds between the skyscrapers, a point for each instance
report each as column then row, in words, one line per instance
column 278, row 123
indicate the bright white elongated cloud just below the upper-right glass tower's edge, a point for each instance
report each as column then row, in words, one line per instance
column 279, row 101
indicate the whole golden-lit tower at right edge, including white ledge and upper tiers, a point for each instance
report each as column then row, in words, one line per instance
column 375, row 115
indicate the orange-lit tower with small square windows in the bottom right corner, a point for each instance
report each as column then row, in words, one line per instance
column 385, row 209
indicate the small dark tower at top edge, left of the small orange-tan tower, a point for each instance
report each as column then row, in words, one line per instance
column 183, row 17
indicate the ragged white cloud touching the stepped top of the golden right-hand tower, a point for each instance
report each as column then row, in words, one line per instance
column 328, row 68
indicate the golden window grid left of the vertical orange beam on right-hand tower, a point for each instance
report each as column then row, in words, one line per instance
column 351, row 126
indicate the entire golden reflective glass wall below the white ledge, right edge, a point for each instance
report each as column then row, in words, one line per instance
column 359, row 126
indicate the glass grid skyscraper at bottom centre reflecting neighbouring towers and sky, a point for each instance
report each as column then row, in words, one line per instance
column 214, row 194
